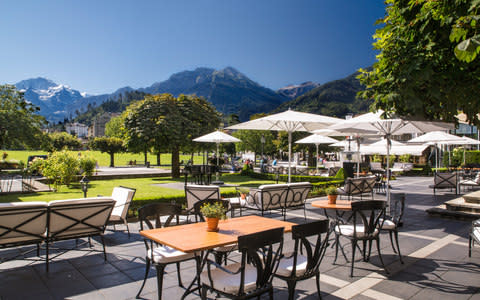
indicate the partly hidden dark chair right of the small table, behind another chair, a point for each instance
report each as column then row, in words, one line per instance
column 394, row 220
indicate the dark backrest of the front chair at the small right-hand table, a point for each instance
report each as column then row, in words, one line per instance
column 369, row 213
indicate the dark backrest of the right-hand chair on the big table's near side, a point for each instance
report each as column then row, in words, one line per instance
column 300, row 233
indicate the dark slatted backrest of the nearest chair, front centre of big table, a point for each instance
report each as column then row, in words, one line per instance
column 264, row 250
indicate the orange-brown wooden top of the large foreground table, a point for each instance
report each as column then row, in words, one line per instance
column 194, row 237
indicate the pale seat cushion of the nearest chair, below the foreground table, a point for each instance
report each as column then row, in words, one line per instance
column 229, row 283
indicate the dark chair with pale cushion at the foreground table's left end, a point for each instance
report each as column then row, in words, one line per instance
column 159, row 255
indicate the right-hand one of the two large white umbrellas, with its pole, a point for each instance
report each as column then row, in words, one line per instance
column 387, row 128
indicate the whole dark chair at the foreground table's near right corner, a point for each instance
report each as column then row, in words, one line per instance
column 294, row 266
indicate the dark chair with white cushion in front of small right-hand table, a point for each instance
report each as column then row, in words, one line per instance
column 366, row 221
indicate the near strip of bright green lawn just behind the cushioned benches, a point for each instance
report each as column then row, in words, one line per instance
column 147, row 189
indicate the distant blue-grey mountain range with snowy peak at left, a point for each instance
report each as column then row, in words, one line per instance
column 228, row 90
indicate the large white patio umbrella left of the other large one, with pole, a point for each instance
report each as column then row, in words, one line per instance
column 289, row 121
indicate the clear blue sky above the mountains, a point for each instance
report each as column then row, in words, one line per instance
column 97, row 46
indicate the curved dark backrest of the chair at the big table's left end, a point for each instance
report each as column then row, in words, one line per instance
column 155, row 211
